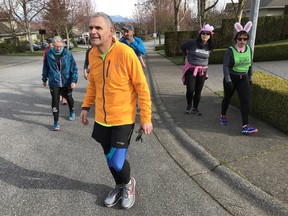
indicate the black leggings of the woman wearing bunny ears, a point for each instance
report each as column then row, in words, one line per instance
column 242, row 85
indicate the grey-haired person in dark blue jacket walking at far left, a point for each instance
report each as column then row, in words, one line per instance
column 60, row 69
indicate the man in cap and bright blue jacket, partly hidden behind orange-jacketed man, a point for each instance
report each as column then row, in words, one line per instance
column 134, row 42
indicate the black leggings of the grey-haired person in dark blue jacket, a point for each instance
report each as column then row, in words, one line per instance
column 64, row 92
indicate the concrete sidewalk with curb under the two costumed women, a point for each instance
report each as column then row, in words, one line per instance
column 258, row 161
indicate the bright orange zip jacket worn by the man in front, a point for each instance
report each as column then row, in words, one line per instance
column 114, row 85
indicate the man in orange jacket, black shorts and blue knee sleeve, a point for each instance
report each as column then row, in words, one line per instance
column 116, row 79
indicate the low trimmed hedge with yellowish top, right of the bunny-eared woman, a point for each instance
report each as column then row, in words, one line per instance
column 268, row 100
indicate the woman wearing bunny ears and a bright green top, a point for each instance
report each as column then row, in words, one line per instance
column 237, row 68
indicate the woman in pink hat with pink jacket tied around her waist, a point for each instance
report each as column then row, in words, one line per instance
column 197, row 52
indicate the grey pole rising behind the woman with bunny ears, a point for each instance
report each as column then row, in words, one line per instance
column 254, row 13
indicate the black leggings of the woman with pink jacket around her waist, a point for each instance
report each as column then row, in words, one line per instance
column 194, row 87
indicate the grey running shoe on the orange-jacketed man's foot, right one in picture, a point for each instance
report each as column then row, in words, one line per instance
column 128, row 197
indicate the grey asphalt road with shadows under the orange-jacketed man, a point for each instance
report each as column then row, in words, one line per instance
column 43, row 172
